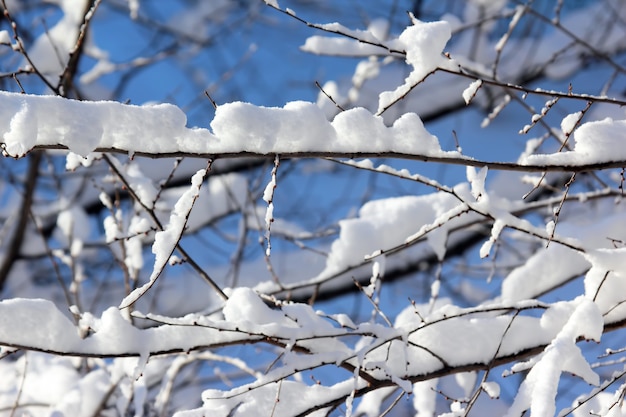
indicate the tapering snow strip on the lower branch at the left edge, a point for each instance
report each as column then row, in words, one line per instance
column 43, row 327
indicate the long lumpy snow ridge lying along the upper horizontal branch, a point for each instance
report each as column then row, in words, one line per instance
column 28, row 121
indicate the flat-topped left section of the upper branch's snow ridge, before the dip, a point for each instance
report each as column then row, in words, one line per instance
column 83, row 126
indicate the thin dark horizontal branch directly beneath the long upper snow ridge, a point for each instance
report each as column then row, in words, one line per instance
column 452, row 160
